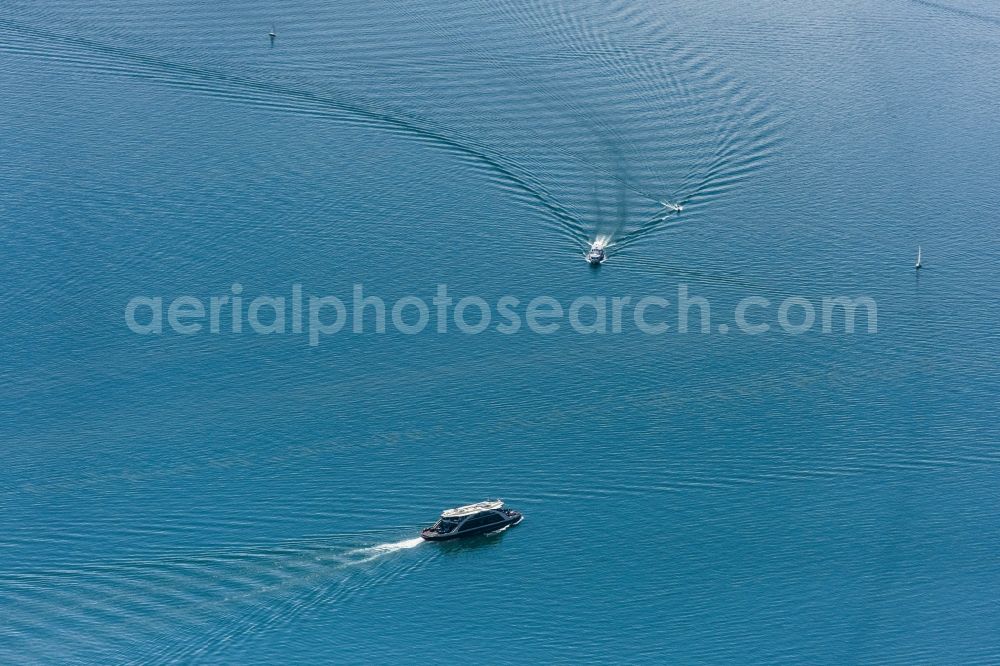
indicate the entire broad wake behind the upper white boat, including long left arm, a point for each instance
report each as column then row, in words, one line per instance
column 672, row 125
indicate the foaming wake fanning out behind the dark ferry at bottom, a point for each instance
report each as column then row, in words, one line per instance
column 185, row 607
